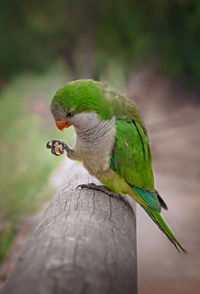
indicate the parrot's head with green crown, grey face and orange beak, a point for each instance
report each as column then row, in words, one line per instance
column 79, row 103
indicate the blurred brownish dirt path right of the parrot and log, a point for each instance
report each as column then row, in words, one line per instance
column 172, row 116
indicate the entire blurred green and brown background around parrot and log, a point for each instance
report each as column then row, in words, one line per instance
column 149, row 50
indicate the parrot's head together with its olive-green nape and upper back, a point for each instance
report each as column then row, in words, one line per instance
column 83, row 103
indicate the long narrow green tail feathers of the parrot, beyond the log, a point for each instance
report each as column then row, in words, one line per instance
column 157, row 218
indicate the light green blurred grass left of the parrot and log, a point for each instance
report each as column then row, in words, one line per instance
column 25, row 162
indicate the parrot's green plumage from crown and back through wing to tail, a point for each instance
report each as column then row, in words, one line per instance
column 131, row 154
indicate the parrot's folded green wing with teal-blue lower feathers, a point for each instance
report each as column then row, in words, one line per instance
column 131, row 159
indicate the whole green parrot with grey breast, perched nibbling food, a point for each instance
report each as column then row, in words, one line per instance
column 111, row 142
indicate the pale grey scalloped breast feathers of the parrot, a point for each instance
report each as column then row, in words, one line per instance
column 94, row 142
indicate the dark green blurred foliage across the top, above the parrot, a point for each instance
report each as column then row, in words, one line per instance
column 165, row 32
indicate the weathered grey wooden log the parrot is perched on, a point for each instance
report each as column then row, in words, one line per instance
column 84, row 243
